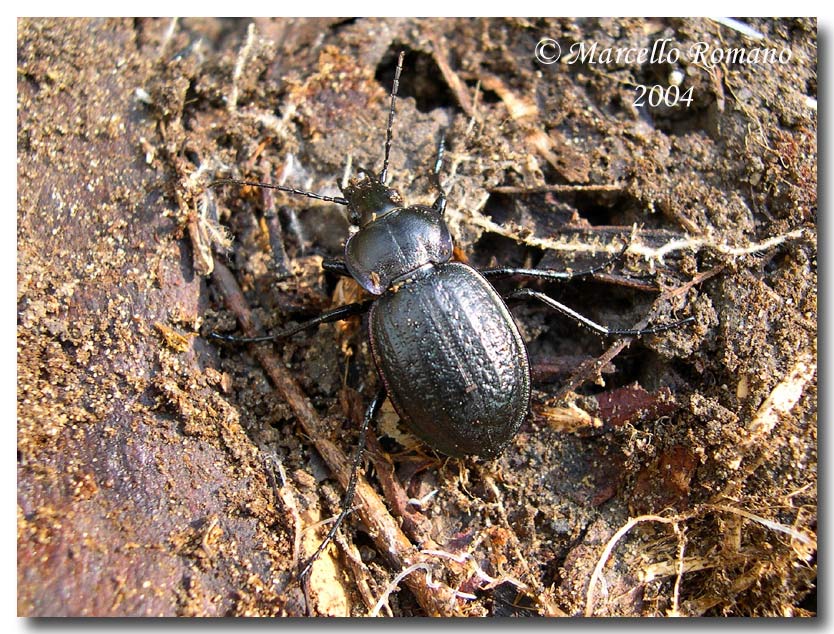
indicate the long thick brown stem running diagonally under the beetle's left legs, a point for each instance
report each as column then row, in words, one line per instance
column 383, row 529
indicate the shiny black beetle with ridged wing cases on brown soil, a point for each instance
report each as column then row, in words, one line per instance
column 448, row 352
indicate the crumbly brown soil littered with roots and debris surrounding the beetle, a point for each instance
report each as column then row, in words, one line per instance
column 161, row 472
